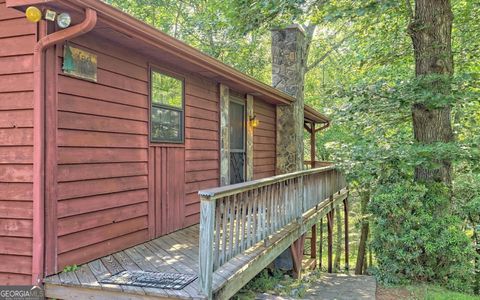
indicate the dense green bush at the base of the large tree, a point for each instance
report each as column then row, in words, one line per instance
column 417, row 238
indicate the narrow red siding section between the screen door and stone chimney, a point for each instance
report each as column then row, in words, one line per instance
column 264, row 143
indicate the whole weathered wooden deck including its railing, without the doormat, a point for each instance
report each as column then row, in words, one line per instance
column 269, row 223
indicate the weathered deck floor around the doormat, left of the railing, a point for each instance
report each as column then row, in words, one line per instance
column 173, row 253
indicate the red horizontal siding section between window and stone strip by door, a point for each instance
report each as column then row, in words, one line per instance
column 202, row 143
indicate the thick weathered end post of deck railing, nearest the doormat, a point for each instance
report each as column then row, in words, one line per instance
column 207, row 227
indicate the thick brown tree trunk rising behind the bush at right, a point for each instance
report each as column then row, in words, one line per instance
column 431, row 33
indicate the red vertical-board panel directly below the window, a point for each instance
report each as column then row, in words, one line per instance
column 167, row 184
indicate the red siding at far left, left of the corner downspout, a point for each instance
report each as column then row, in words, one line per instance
column 17, row 39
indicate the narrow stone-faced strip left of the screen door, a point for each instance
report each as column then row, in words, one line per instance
column 224, row 135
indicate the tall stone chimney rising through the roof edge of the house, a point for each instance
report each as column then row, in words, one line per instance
column 288, row 76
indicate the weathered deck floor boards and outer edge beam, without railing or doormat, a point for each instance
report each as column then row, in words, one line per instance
column 177, row 252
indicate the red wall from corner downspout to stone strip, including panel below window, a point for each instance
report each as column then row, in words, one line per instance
column 112, row 182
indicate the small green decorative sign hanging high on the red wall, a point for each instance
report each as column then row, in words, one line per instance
column 79, row 63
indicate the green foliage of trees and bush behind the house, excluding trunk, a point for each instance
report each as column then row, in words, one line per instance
column 362, row 75
